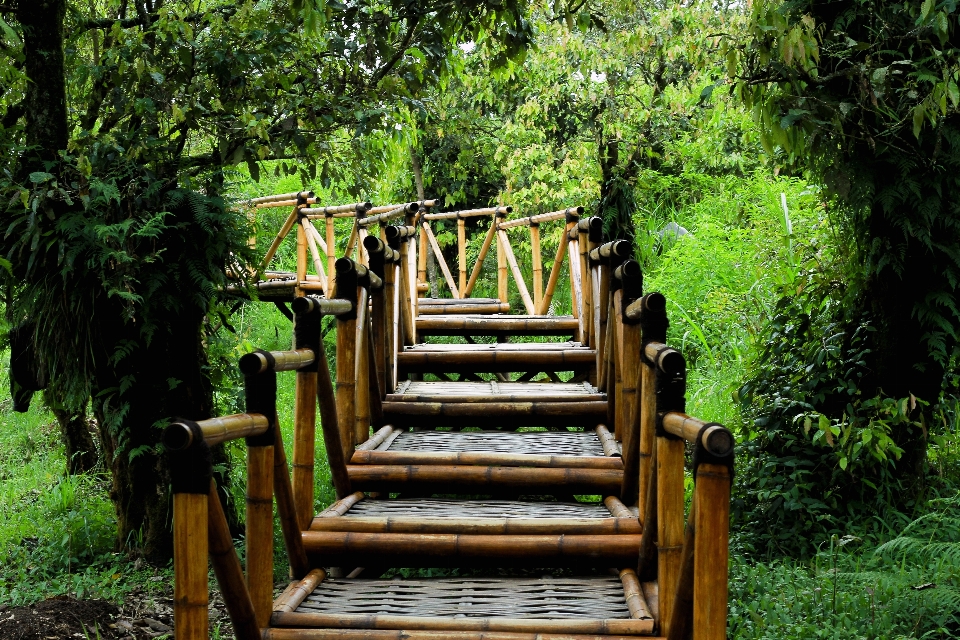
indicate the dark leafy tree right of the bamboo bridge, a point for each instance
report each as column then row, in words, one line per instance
column 863, row 96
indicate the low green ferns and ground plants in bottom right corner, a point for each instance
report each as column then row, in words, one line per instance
column 908, row 587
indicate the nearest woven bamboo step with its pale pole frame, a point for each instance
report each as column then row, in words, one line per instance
column 466, row 608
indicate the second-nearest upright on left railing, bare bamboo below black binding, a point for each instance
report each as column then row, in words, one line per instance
column 259, row 534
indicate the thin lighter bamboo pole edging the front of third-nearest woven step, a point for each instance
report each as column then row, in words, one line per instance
column 484, row 458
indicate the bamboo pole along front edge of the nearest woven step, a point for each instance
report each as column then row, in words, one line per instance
column 415, row 627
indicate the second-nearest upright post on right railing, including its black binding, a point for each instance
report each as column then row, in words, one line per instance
column 670, row 459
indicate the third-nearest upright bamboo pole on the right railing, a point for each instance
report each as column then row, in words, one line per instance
column 629, row 395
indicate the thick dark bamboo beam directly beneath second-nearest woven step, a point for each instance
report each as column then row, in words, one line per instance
column 445, row 549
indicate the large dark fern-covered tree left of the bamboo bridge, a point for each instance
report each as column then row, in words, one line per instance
column 121, row 121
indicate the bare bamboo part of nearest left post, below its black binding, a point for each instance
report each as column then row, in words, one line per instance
column 190, row 546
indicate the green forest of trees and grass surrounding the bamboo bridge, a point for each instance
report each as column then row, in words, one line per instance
column 787, row 172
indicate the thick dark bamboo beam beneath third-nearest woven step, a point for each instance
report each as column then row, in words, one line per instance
column 455, row 478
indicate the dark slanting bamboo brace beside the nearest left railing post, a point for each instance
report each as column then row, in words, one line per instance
column 226, row 566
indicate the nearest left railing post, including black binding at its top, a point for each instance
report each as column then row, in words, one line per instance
column 191, row 474
